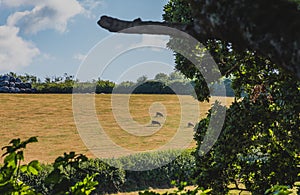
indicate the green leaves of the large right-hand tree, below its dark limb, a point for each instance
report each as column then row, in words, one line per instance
column 259, row 142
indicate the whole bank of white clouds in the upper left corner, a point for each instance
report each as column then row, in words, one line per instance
column 32, row 16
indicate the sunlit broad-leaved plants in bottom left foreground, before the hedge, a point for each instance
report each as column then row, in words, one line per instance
column 60, row 178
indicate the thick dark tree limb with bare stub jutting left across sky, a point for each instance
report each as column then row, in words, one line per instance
column 269, row 27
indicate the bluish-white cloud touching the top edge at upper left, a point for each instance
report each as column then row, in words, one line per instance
column 50, row 14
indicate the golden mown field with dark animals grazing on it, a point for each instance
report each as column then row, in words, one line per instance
column 50, row 117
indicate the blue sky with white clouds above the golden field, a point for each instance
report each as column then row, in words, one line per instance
column 52, row 37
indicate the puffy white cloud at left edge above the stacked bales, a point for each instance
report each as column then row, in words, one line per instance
column 15, row 52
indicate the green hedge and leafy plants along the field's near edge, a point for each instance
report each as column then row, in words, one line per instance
column 74, row 173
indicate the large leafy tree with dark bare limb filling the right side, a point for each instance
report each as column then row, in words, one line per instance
column 259, row 142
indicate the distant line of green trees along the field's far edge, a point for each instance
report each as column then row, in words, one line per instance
column 174, row 83
